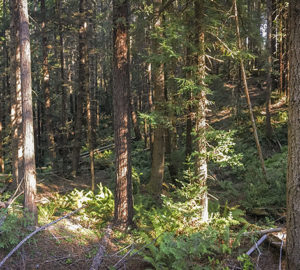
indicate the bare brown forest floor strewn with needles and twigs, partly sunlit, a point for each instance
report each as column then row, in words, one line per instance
column 70, row 245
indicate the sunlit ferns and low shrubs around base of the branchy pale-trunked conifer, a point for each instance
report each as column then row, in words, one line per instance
column 183, row 241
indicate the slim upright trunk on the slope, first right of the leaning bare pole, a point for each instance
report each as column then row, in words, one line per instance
column 269, row 69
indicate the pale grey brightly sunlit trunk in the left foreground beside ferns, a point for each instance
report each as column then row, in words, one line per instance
column 27, row 115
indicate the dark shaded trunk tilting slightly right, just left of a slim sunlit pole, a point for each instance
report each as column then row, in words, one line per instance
column 83, row 86
